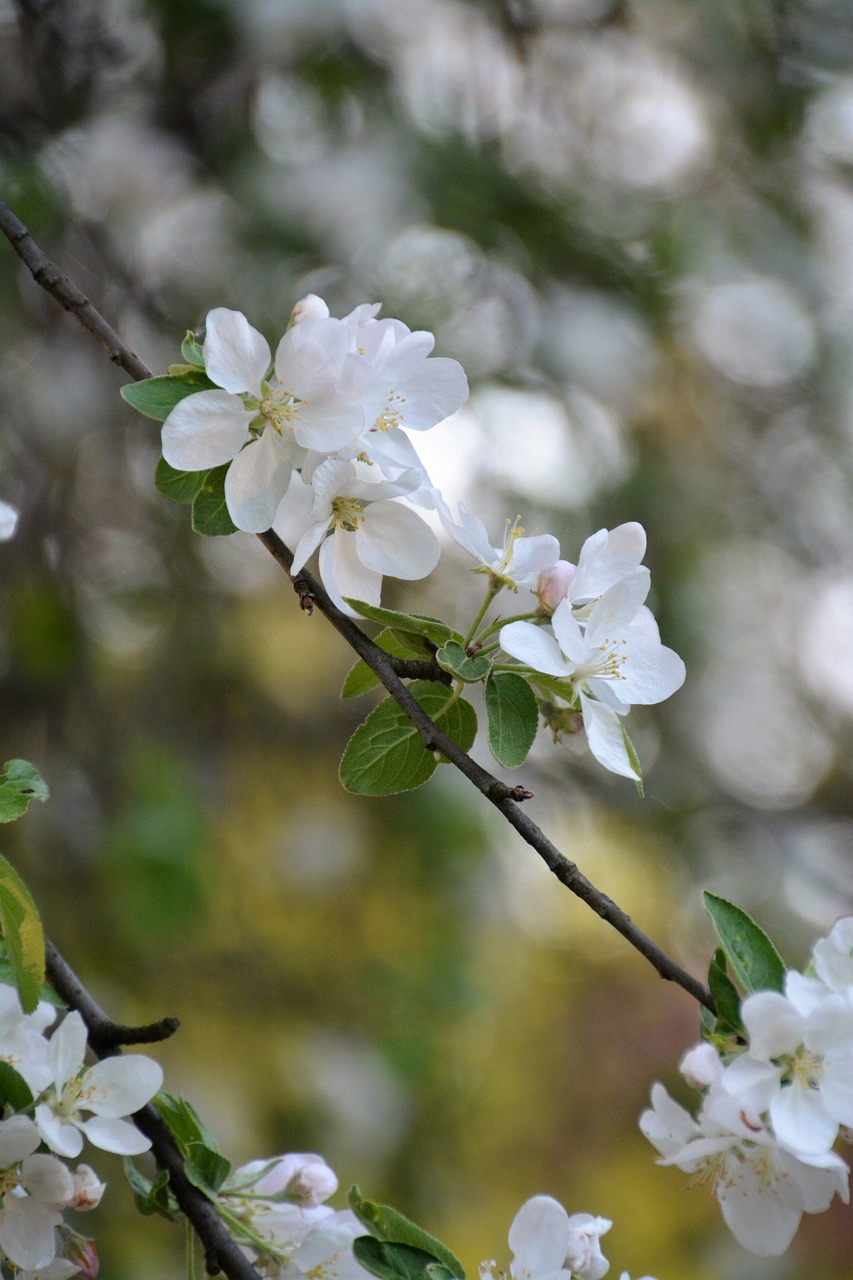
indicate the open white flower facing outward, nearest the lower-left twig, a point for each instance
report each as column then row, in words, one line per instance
column 111, row 1090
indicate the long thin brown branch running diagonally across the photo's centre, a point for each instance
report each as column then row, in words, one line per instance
column 387, row 669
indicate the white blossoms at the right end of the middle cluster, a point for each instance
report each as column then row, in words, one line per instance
column 601, row 652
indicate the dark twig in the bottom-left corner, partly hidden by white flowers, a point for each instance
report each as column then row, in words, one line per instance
column 221, row 1251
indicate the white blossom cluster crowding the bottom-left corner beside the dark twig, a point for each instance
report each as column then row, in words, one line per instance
column 53, row 1104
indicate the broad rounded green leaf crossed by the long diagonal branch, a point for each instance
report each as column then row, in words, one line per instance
column 387, row 755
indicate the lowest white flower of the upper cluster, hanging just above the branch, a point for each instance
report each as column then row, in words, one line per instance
column 371, row 534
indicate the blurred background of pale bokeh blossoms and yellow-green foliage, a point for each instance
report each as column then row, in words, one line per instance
column 633, row 222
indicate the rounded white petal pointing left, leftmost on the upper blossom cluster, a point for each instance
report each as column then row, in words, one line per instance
column 206, row 431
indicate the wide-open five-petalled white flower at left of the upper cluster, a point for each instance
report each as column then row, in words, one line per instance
column 266, row 424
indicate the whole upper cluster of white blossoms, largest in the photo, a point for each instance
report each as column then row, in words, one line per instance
column 316, row 440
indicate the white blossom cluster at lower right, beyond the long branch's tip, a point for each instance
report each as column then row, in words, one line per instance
column 772, row 1110
